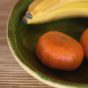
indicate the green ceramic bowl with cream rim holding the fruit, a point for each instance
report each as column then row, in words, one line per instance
column 22, row 39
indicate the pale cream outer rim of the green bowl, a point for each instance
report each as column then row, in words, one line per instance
column 31, row 72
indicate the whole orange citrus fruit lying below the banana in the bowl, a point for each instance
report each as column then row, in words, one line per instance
column 59, row 51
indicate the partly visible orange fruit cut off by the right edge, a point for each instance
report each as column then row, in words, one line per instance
column 84, row 42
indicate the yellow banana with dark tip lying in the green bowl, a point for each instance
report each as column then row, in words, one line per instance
column 41, row 11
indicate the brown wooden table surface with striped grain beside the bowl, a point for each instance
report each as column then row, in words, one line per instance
column 11, row 74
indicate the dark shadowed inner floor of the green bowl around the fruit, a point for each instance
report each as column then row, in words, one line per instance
column 27, row 36
